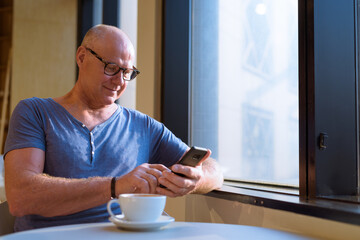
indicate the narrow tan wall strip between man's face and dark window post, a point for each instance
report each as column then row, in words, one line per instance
column 148, row 88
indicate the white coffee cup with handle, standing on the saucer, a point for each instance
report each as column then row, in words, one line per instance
column 139, row 207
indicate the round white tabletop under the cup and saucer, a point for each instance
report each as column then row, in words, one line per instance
column 175, row 230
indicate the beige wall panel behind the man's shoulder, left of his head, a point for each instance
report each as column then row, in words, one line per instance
column 44, row 42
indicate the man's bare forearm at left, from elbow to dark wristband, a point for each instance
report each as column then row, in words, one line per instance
column 53, row 196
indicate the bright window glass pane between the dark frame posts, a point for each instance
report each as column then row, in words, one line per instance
column 244, row 88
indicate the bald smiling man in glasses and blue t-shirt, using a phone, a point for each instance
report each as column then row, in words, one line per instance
column 62, row 154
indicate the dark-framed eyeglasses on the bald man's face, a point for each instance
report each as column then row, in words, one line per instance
column 112, row 69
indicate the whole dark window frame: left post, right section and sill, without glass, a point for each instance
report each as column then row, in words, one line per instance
column 321, row 27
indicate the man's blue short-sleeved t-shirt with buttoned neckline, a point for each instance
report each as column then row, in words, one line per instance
column 113, row 148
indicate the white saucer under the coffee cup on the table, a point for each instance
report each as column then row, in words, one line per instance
column 121, row 222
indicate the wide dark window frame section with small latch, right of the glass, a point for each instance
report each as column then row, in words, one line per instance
column 326, row 55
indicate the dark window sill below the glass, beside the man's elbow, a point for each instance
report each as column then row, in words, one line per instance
column 327, row 209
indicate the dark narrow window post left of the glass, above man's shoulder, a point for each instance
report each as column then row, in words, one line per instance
column 176, row 70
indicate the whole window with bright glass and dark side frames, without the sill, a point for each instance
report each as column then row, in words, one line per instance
column 327, row 68
